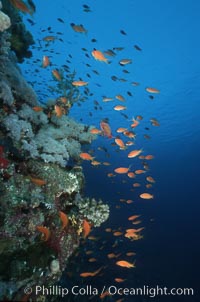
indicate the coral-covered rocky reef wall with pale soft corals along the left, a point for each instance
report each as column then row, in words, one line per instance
column 43, row 212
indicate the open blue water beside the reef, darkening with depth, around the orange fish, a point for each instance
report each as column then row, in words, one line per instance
column 167, row 32
